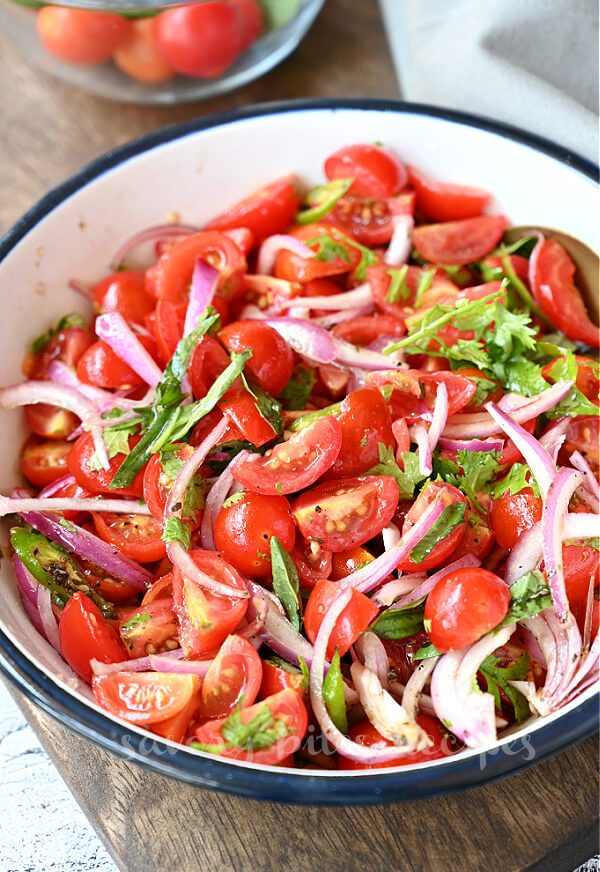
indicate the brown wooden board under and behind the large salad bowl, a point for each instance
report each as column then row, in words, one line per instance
column 545, row 819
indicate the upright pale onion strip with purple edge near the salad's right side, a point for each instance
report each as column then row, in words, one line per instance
column 554, row 511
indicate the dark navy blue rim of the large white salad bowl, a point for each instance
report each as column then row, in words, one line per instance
column 273, row 784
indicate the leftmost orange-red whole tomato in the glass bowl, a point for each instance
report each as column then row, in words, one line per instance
column 80, row 36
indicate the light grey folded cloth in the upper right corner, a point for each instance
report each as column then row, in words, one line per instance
column 531, row 63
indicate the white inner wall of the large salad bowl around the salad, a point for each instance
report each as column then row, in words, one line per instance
column 197, row 175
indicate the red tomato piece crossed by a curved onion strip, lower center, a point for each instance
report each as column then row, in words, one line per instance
column 354, row 620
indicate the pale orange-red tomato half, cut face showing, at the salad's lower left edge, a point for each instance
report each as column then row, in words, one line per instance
column 144, row 697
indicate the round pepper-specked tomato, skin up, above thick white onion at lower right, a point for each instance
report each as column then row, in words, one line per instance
column 463, row 606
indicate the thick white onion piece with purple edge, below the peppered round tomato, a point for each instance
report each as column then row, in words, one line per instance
column 459, row 703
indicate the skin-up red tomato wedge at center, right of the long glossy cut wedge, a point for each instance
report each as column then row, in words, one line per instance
column 364, row 421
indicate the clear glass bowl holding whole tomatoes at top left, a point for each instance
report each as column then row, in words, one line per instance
column 18, row 19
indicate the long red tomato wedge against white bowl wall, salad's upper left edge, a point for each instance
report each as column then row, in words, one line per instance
column 267, row 211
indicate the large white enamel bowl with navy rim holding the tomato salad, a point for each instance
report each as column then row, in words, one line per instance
column 197, row 170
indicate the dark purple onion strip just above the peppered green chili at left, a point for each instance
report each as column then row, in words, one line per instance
column 85, row 544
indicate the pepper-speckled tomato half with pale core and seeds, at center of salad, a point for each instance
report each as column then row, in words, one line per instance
column 344, row 513
